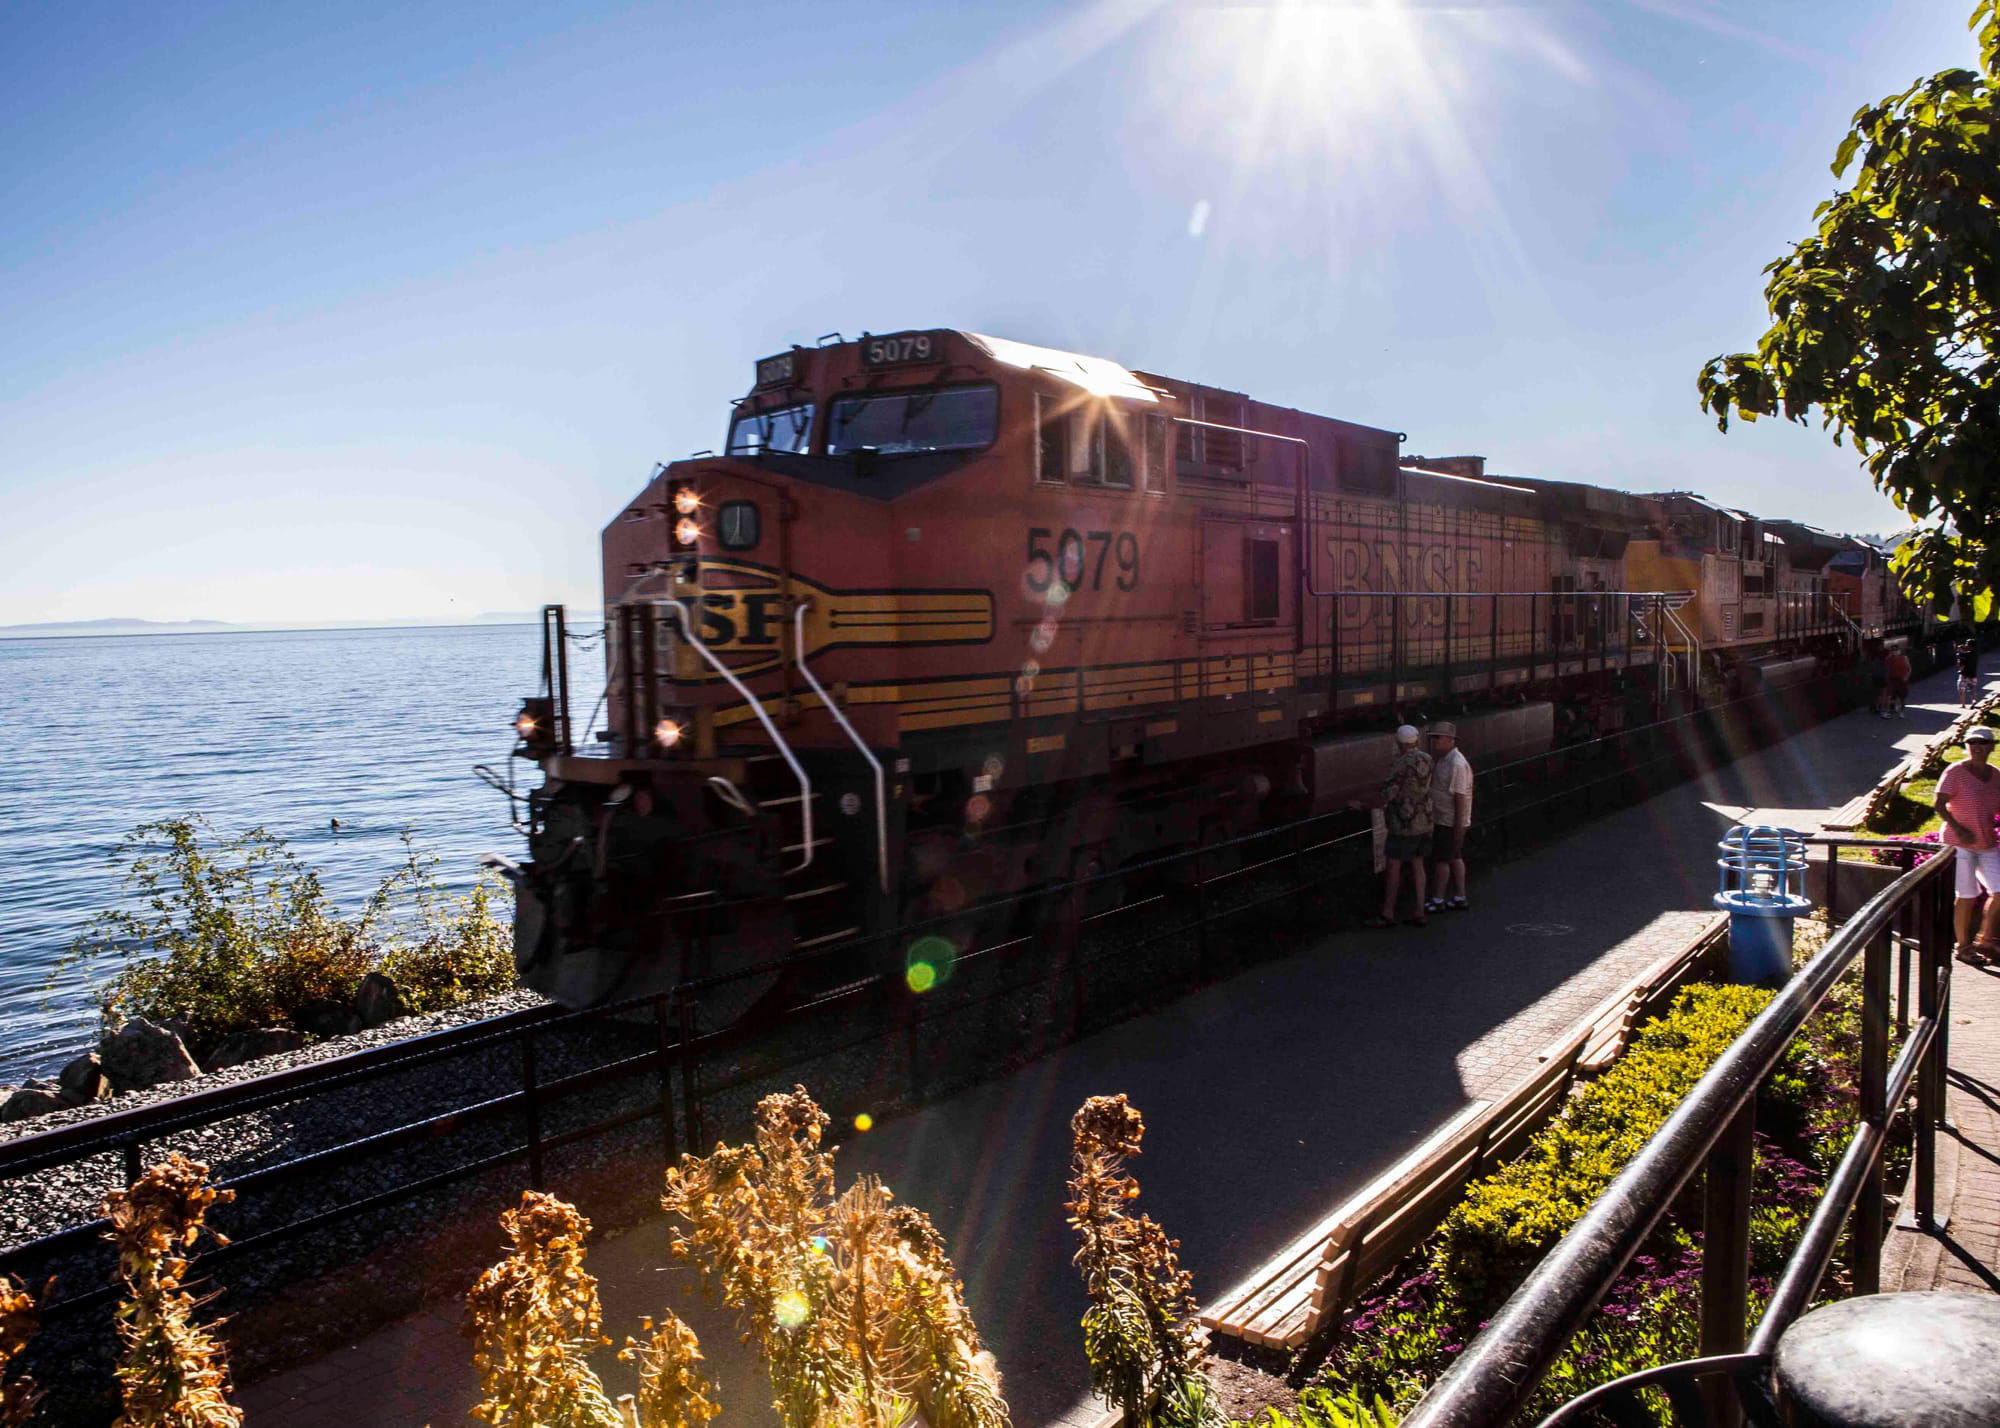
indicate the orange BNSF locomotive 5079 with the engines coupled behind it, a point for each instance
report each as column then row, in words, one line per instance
column 955, row 617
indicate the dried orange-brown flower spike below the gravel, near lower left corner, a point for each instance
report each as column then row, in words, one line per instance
column 173, row 1373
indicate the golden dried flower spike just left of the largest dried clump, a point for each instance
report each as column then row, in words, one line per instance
column 533, row 1321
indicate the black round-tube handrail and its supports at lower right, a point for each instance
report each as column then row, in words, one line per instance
column 1501, row 1369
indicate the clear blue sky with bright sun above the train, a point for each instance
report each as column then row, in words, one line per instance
column 343, row 313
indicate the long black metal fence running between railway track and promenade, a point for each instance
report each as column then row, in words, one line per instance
column 1027, row 973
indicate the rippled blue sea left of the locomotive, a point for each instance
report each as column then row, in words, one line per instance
column 379, row 729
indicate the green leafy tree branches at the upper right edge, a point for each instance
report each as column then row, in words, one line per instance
column 1887, row 321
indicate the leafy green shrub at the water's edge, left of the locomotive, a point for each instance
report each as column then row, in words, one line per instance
column 237, row 933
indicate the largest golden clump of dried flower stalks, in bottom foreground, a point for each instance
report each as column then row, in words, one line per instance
column 851, row 1301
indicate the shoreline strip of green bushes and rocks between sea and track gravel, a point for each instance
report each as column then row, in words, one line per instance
column 229, row 949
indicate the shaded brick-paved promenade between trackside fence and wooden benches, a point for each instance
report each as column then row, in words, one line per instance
column 1269, row 1099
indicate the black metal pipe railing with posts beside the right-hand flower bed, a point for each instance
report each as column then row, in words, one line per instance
column 1711, row 1133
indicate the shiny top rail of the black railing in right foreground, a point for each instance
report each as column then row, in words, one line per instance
column 1501, row 1369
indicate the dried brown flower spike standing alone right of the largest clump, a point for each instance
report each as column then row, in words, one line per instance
column 1141, row 1335
